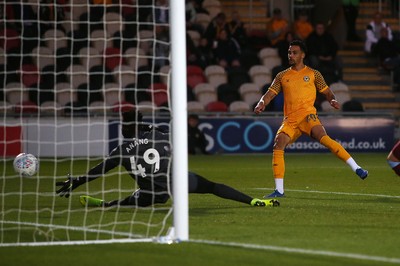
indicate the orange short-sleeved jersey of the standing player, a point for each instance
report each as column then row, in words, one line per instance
column 299, row 90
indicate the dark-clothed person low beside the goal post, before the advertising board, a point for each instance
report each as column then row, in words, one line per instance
column 197, row 142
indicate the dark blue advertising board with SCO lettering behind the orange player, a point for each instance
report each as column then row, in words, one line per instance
column 256, row 134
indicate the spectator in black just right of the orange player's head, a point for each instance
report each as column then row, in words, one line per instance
column 322, row 52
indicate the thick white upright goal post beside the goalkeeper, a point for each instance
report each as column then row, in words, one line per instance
column 179, row 112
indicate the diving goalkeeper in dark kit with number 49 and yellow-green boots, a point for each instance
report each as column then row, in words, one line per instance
column 146, row 156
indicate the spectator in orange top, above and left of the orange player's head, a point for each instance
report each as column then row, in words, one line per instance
column 277, row 27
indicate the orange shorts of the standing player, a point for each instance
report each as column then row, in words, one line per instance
column 294, row 128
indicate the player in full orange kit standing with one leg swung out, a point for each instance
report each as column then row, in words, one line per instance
column 299, row 84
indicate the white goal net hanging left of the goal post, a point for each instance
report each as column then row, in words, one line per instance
column 68, row 69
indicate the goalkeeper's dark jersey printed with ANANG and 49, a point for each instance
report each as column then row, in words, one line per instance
column 145, row 157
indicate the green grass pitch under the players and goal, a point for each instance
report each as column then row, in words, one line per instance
column 328, row 217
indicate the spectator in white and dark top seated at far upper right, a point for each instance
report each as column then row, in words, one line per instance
column 373, row 33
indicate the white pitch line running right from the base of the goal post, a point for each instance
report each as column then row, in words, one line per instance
column 301, row 251
